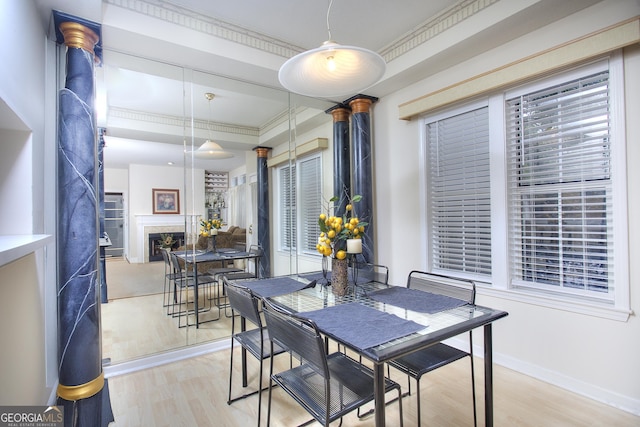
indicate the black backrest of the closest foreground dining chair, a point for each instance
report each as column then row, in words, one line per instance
column 297, row 335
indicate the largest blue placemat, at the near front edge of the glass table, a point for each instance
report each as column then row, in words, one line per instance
column 361, row 326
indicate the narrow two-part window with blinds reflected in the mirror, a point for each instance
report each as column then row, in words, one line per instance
column 300, row 199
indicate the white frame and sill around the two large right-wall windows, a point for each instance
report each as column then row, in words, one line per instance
column 500, row 283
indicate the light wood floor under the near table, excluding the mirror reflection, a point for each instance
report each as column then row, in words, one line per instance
column 193, row 392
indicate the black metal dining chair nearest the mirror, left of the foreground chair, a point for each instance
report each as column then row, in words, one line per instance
column 245, row 305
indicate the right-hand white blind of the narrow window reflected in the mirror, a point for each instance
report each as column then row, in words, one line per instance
column 310, row 202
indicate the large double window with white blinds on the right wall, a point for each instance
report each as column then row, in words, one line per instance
column 520, row 189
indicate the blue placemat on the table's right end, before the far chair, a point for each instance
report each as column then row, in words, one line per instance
column 415, row 300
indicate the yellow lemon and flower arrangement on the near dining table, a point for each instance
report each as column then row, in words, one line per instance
column 336, row 230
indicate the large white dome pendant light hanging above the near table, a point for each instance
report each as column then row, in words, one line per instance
column 332, row 70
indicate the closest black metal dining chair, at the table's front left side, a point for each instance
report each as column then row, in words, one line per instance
column 327, row 386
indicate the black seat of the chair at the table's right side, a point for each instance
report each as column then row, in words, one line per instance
column 426, row 360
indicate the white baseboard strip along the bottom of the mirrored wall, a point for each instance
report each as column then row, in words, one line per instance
column 165, row 357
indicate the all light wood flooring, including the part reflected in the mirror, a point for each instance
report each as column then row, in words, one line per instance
column 193, row 392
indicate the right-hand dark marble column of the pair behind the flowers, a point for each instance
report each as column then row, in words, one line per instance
column 362, row 180
